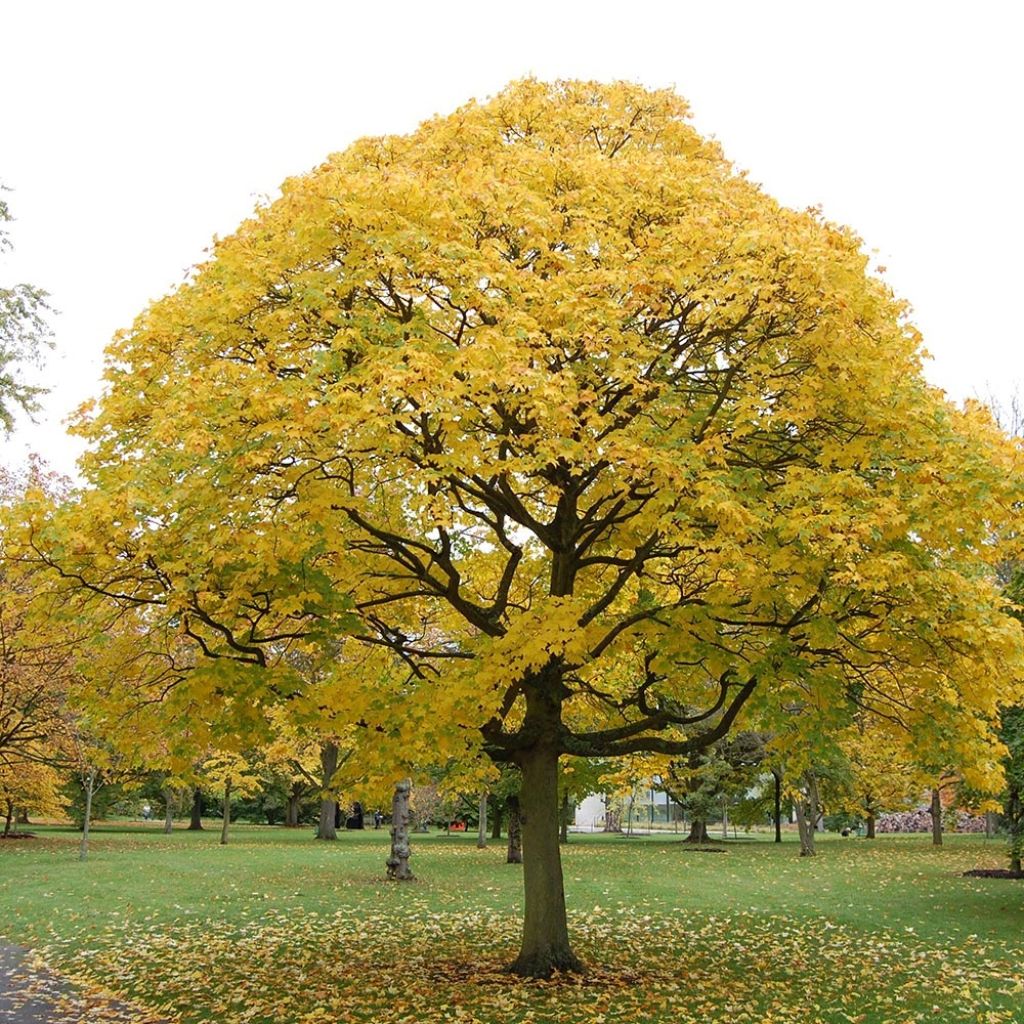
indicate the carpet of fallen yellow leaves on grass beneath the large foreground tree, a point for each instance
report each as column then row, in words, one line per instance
column 421, row 968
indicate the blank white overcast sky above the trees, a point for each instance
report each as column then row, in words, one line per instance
column 133, row 133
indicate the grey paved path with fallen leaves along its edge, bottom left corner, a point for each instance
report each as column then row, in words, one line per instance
column 33, row 995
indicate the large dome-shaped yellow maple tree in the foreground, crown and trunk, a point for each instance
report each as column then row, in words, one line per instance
column 603, row 447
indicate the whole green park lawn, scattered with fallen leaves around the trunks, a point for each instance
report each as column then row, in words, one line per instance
column 279, row 928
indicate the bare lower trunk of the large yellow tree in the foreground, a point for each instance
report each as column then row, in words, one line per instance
column 545, row 929
